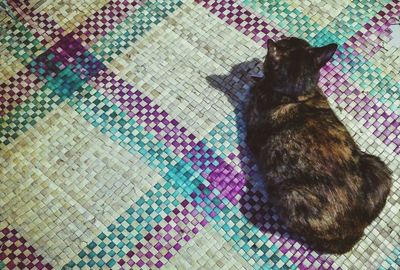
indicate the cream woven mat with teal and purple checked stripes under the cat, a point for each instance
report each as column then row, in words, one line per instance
column 122, row 139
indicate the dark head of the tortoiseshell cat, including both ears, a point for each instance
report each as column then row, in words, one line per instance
column 292, row 65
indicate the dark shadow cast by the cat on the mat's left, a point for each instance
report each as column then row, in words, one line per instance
column 254, row 203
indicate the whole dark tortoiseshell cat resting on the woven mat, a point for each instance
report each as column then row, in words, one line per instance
column 323, row 186
